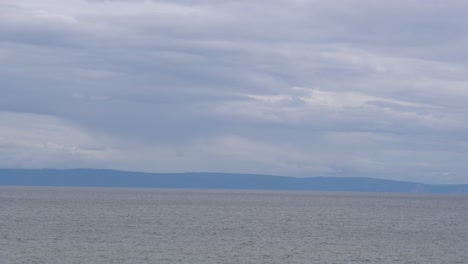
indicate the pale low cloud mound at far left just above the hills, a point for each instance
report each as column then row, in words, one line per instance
column 30, row 140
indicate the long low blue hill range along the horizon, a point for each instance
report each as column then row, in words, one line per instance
column 202, row 180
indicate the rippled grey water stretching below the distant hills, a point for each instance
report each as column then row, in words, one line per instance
column 85, row 225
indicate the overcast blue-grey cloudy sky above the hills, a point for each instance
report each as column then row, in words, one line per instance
column 346, row 88
